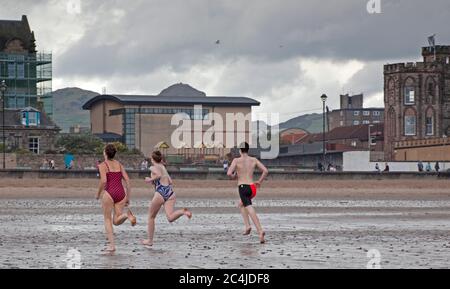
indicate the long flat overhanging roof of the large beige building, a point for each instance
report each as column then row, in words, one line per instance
column 172, row 100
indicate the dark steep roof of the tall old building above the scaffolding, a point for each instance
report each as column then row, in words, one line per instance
column 17, row 29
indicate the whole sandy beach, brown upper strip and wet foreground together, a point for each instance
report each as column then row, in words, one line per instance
column 309, row 224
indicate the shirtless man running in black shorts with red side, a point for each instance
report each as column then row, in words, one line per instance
column 243, row 169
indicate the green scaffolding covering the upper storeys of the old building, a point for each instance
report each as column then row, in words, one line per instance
column 29, row 80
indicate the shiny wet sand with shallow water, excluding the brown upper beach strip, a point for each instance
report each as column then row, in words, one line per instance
column 37, row 233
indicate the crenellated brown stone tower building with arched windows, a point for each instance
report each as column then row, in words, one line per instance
column 417, row 107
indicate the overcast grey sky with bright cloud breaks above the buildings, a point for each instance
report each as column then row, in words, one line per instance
column 284, row 53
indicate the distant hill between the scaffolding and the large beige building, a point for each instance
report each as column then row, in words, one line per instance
column 67, row 103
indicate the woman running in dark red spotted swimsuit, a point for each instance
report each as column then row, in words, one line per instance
column 115, row 196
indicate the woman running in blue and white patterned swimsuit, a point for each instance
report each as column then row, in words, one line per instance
column 164, row 196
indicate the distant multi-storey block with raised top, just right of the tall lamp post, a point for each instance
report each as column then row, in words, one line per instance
column 352, row 112
